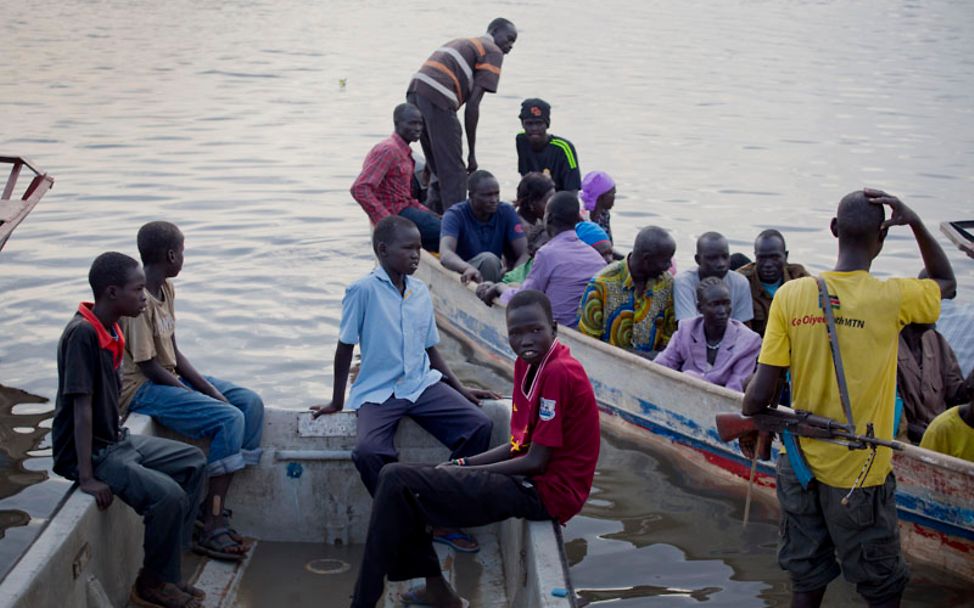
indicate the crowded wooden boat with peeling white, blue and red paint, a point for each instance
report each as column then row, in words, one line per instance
column 676, row 412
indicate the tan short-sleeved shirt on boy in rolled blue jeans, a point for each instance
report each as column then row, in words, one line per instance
column 148, row 336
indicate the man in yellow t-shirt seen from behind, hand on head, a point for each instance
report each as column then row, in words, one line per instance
column 818, row 533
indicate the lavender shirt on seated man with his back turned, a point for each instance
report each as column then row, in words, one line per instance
column 561, row 269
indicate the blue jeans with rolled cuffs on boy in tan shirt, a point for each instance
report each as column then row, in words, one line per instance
column 234, row 428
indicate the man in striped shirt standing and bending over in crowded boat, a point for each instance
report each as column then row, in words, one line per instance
column 456, row 74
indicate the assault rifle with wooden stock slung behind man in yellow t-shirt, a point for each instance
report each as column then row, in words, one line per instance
column 731, row 426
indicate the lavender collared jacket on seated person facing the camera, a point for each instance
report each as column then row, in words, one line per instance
column 736, row 358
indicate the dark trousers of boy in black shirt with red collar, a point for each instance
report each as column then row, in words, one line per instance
column 163, row 481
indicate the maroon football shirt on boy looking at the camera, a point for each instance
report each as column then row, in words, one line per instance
column 558, row 411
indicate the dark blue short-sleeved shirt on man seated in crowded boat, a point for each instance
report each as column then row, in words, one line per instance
column 475, row 237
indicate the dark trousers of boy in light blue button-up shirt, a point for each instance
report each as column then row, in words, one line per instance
column 443, row 412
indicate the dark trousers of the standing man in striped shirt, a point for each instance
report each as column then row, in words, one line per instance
column 443, row 147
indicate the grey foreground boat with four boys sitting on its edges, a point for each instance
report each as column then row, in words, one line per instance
column 307, row 511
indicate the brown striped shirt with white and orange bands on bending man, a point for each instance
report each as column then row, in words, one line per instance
column 449, row 75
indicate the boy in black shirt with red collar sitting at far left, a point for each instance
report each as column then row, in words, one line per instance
column 159, row 478
